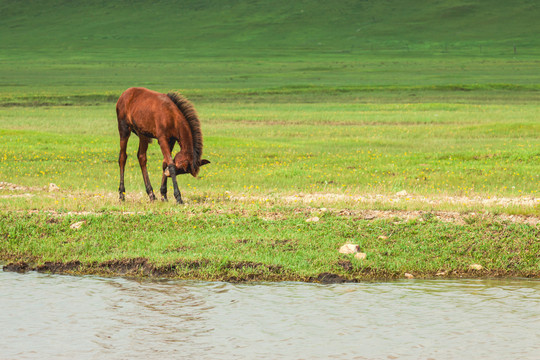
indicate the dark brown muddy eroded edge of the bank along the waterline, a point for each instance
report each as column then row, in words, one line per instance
column 248, row 271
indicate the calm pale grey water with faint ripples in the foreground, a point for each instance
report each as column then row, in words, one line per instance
column 64, row 317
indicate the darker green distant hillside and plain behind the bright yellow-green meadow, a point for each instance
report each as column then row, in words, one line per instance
column 96, row 46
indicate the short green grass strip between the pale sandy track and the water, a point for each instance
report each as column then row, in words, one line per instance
column 205, row 244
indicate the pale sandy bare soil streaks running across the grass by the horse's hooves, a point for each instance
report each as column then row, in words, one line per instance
column 334, row 204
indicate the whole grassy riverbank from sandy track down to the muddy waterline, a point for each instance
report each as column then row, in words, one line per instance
column 271, row 241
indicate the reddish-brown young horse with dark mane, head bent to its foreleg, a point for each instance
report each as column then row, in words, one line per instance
column 169, row 118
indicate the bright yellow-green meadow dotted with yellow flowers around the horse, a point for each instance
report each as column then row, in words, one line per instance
column 263, row 148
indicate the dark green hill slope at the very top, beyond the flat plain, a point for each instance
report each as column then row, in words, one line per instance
column 262, row 25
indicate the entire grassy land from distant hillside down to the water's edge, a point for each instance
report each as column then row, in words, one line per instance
column 308, row 109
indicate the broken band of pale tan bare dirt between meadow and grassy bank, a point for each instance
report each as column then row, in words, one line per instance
column 330, row 199
